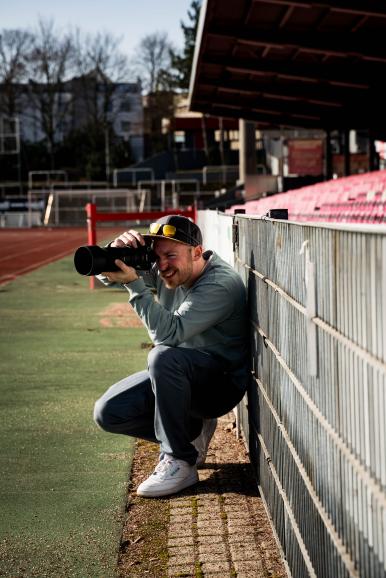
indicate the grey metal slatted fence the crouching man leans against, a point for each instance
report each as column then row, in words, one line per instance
column 315, row 417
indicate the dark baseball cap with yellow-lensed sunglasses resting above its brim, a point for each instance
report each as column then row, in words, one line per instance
column 175, row 228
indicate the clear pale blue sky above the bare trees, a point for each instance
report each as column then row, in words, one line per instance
column 129, row 19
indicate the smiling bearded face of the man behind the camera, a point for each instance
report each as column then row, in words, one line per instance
column 175, row 262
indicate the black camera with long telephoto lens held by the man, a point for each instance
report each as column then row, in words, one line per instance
column 93, row 260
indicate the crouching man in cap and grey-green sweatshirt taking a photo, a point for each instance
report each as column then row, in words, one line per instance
column 198, row 368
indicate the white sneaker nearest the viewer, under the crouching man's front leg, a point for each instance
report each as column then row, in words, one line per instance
column 170, row 476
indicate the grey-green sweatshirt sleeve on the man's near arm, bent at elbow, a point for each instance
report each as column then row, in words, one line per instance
column 204, row 306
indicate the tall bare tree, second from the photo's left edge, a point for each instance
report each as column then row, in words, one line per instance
column 50, row 62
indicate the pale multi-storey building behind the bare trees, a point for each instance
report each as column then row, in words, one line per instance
column 50, row 113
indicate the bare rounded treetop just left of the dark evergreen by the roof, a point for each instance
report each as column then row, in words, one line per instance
column 153, row 60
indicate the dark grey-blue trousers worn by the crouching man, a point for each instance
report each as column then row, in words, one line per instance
column 168, row 401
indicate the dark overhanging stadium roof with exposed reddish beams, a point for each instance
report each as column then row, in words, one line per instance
column 285, row 63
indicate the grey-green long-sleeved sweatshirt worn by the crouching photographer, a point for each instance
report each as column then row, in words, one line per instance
column 210, row 316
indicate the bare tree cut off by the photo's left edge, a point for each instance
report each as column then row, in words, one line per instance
column 15, row 46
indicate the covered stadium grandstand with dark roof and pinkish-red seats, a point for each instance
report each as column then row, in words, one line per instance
column 278, row 66
